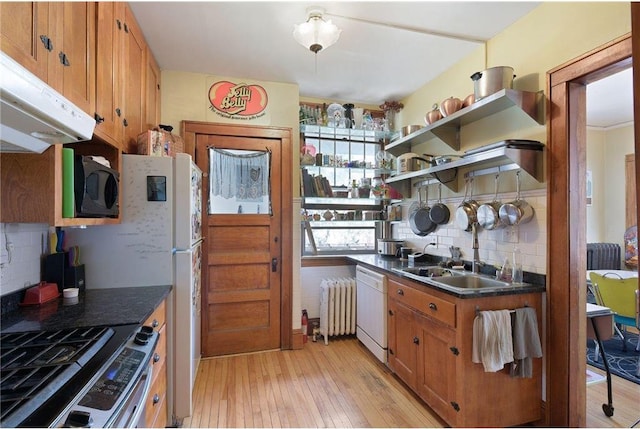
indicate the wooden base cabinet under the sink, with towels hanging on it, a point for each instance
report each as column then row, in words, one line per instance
column 430, row 335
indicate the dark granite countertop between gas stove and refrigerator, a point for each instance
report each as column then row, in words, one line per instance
column 95, row 307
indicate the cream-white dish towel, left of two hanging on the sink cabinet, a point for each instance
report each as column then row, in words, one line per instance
column 492, row 340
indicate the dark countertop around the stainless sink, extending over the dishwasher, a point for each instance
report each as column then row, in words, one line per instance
column 386, row 264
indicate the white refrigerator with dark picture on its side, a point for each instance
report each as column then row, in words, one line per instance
column 158, row 242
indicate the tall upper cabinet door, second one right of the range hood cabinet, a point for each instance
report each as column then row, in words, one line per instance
column 134, row 82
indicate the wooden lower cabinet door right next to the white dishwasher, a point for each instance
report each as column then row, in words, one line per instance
column 402, row 342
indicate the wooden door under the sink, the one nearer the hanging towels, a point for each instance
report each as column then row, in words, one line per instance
column 436, row 367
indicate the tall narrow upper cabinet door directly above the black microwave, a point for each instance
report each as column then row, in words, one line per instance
column 109, row 48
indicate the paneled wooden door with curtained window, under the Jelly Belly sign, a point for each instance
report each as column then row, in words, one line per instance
column 246, row 280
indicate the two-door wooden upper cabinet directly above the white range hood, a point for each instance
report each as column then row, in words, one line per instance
column 56, row 42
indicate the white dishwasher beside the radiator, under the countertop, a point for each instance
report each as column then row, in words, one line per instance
column 371, row 311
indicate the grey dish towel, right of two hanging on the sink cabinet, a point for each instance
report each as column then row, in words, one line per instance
column 526, row 342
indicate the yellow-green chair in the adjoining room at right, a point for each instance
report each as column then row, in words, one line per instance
column 620, row 296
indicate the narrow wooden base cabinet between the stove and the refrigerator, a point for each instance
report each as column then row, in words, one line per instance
column 156, row 402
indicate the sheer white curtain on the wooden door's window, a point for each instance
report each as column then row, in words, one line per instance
column 243, row 177
